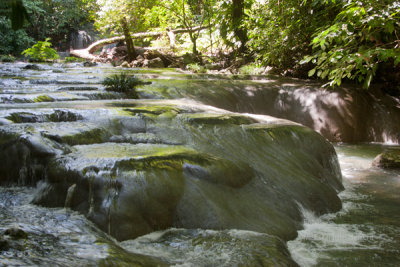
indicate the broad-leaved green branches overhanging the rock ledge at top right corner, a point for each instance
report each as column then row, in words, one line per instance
column 362, row 36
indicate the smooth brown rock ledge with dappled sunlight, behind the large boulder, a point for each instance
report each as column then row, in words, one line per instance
column 340, row 115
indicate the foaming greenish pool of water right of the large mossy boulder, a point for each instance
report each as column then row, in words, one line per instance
column 366, row 232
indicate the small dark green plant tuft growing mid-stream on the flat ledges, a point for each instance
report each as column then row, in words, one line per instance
column 122, row 83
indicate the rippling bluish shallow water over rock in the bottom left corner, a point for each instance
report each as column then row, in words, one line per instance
column 37, row 236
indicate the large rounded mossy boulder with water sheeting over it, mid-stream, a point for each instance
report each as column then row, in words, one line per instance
column 201, row 168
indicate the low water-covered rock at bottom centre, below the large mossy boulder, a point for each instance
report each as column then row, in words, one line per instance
column 198, row 247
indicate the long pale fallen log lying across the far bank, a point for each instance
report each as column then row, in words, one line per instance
column 87, row 53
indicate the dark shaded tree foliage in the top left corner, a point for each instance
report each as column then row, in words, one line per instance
column 47, row 18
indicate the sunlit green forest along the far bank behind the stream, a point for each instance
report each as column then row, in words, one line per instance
column 333, row 40
